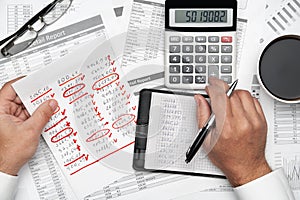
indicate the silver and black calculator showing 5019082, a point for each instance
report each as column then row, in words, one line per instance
column 200, row 41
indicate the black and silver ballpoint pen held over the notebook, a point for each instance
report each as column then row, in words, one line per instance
column 202, row 133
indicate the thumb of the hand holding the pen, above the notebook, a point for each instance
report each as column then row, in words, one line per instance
column 203, row 110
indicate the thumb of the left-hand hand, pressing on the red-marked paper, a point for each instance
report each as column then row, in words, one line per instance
column 41, row 116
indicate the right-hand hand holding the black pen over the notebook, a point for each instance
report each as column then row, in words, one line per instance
column 241, row 130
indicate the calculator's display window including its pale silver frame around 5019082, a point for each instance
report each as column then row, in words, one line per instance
column 209, row 17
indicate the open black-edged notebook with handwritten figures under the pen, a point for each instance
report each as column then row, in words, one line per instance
column 166, row 127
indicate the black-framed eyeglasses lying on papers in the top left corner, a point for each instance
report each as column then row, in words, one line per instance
column 29, row 32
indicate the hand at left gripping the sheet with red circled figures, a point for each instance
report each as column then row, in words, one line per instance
column 19, row 133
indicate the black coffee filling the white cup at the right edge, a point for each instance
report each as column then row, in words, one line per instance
column 280, row 68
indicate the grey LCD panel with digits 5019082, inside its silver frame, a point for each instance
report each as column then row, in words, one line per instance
column 201, row 16
